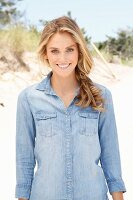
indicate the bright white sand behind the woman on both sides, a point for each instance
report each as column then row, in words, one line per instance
column 121, row 88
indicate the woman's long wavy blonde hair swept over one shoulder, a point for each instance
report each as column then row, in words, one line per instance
column 89, row 94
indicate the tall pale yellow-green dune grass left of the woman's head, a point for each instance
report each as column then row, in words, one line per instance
column 19, row 39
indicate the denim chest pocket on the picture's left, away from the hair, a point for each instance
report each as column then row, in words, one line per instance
column 46, row 124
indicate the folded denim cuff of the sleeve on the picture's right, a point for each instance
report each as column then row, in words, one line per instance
column 116, row 186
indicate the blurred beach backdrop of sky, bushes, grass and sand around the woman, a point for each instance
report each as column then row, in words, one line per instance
column 107, row 26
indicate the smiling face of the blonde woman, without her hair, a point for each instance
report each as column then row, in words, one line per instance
column 62, row 54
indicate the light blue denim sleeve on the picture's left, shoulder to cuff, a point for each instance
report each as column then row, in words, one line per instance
column 25, row 141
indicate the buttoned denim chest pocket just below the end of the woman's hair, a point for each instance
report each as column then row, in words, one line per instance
column 88, row 123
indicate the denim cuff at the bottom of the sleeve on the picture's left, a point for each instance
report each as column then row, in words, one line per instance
column 23, row 191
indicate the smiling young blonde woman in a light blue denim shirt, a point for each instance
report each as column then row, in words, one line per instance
column 66, row 125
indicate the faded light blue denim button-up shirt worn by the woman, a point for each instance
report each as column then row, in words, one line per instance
column 75, row 150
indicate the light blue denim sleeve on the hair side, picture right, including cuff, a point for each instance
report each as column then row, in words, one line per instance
column 110, row 156
